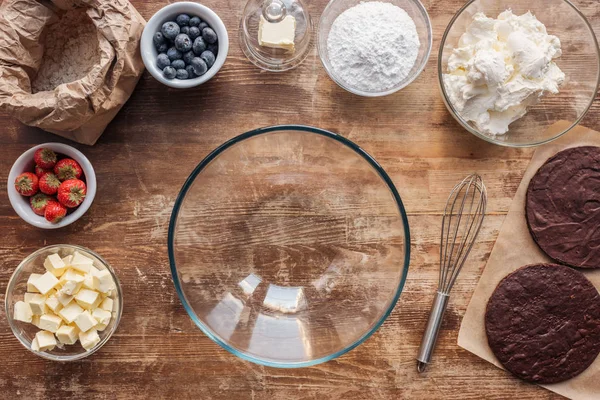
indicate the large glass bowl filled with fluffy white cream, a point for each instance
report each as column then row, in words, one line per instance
column 519, row 73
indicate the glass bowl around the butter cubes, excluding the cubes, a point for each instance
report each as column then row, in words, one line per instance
column 17, row 286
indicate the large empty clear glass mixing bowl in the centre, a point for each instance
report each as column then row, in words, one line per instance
column 289, row 246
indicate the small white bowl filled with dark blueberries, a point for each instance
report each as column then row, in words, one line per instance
column 184, row 45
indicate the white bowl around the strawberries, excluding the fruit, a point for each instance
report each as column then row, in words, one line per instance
column 25, row 163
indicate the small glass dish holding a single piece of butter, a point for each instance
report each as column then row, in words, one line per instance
column 276, row 35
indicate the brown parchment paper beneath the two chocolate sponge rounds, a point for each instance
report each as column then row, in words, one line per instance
column 515, row 248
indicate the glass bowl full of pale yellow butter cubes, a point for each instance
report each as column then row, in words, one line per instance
column 63, row 302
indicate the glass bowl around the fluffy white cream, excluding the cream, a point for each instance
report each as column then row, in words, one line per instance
column 579, row 61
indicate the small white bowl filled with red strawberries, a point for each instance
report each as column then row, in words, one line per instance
column 51, row 185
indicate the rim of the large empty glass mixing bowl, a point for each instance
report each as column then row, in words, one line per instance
column 206, row 161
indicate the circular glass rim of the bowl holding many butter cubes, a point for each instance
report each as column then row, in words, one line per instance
column 12, row 322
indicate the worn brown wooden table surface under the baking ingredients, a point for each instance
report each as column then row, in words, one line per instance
column 141, row 162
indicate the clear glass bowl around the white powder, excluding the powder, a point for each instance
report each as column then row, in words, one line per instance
column 413, row 8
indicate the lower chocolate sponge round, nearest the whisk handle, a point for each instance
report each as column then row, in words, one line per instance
column 543, row 323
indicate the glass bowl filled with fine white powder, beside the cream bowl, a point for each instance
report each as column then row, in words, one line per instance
column 374, row 48
